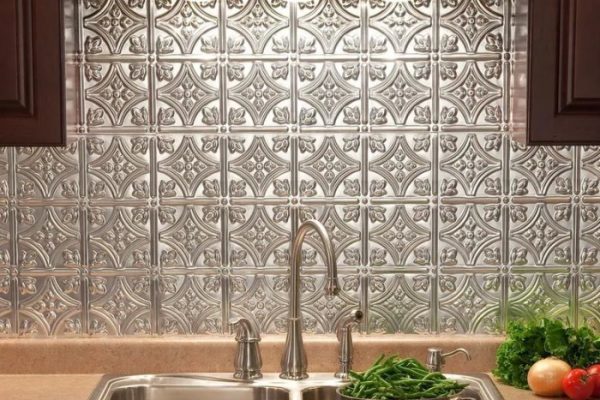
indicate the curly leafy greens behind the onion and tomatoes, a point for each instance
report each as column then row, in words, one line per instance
column 528, row 342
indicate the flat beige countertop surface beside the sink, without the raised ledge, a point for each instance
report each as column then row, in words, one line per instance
column 80, row 386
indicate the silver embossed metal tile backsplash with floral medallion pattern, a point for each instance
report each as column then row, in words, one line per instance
column 209, row 130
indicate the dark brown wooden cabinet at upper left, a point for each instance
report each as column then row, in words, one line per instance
column 32, row 83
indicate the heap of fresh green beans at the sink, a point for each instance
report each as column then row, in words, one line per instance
column 393, row 378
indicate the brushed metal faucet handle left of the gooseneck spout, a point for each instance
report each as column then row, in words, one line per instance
column 248, row 361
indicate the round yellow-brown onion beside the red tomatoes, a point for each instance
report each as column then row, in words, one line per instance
column 545, row 376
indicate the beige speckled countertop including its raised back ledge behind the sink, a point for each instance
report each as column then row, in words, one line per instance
column 69, row 369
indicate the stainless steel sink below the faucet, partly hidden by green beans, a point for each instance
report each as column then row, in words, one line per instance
column 271, row 387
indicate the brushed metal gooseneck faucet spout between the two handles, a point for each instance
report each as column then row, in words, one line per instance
column 293, row 361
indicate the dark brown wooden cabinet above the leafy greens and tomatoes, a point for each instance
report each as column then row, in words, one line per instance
column 563, row 72
